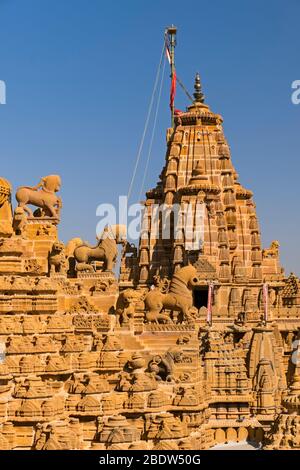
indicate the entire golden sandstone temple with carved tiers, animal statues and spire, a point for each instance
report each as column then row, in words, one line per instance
column 192, row 346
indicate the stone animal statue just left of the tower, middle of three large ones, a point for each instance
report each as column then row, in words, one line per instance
column 106, row 250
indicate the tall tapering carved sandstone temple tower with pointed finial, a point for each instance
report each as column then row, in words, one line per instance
column 217, row 229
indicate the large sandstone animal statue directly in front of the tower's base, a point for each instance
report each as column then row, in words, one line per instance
column 179, row 298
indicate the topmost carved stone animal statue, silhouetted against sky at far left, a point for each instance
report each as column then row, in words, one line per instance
column 42, row 196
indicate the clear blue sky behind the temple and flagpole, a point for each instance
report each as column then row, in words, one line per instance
column 79, row 76
